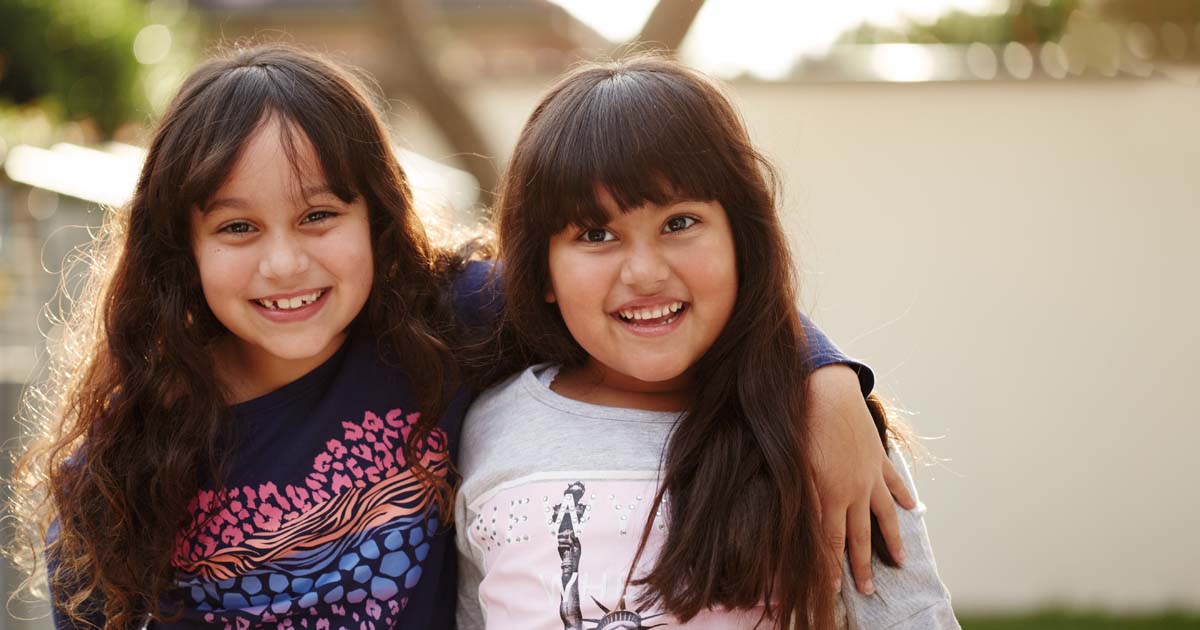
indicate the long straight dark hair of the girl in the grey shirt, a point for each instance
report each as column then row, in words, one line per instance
column 745, row 529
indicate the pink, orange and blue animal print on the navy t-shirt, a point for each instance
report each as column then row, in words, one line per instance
column 347, row 543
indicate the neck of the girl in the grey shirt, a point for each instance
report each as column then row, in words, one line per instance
column 597, row 385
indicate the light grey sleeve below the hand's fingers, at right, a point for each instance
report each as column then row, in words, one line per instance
column 909, row 598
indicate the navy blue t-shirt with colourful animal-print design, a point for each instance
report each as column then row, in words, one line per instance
column 325, row 525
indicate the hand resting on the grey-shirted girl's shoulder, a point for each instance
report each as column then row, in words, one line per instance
column 854, row 475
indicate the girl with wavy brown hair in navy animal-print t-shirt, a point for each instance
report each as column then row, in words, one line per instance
column 251, row 416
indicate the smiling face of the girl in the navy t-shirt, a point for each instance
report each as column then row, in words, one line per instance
column 285, row 265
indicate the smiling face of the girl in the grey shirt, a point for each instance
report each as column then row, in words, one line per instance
column 649, row 293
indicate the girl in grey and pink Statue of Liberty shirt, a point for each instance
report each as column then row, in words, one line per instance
column 656, row 472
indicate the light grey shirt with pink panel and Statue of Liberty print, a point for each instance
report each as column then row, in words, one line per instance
column 554, row 500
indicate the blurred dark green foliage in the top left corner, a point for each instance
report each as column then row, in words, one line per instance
column 73, row 57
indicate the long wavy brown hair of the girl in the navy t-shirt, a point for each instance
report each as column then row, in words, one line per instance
column 133, row 419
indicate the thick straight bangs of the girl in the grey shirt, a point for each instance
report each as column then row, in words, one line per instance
column 633, row 137
